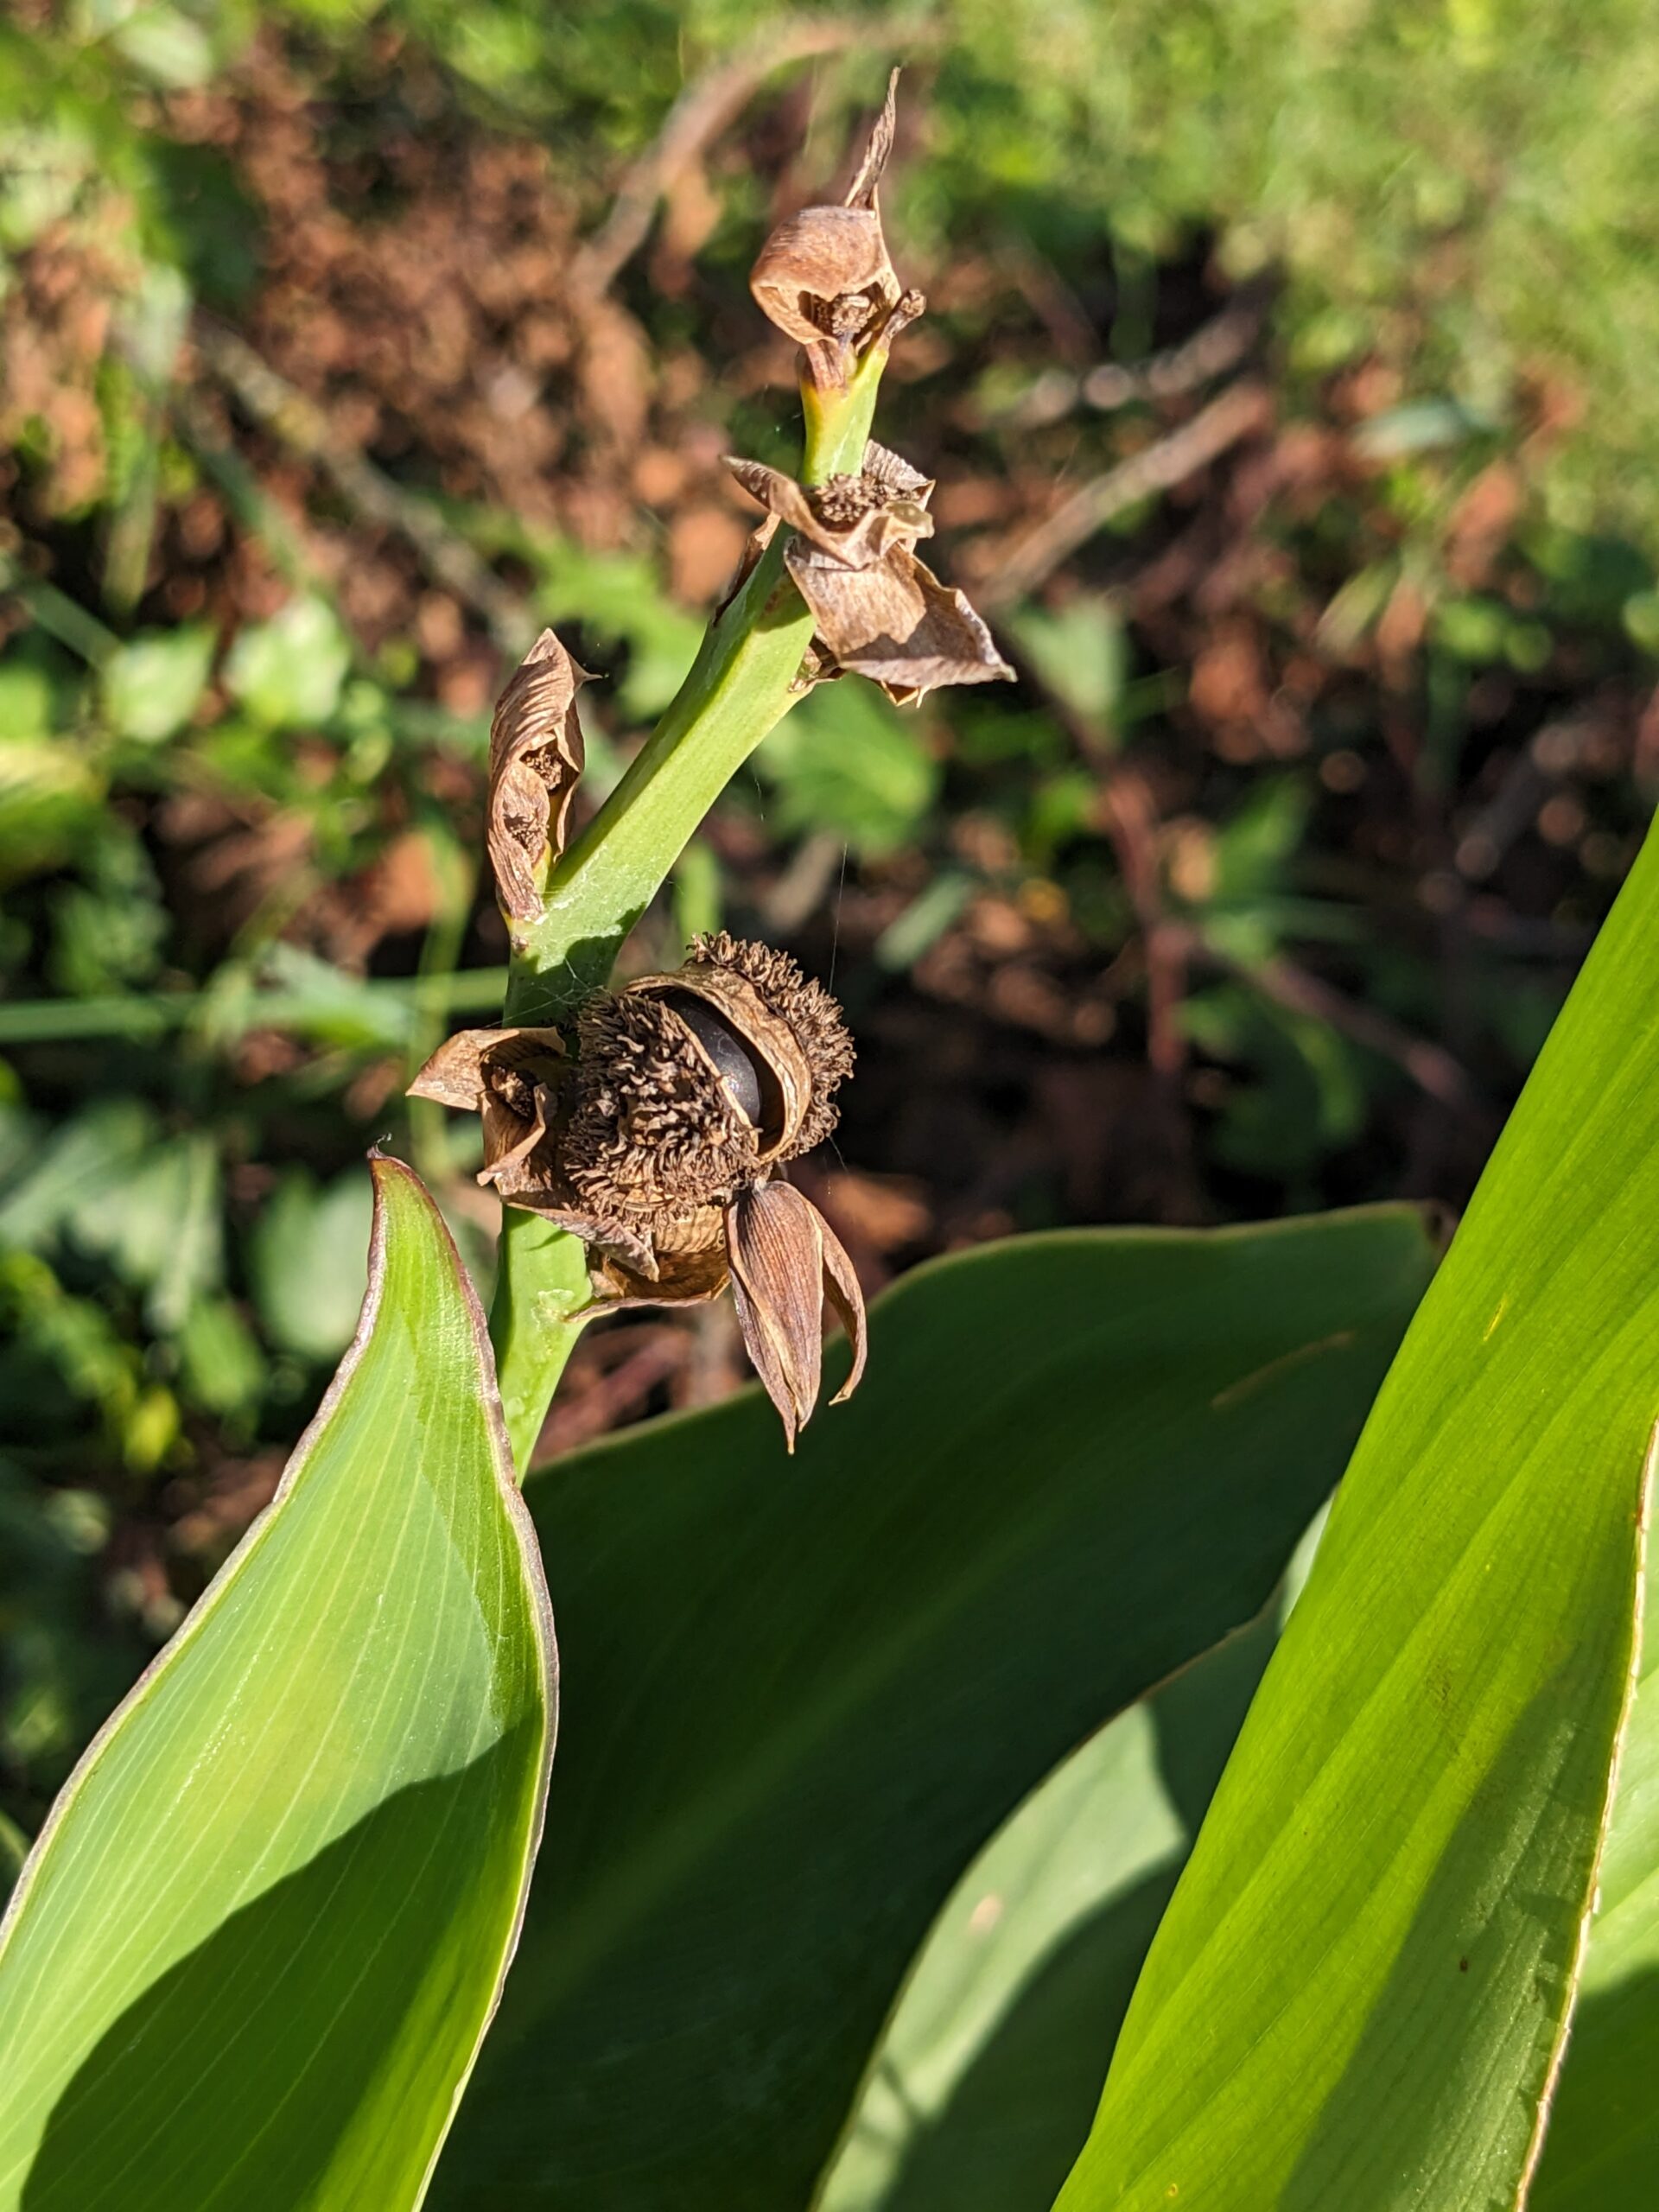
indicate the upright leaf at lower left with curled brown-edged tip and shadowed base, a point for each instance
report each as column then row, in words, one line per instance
column 260, row 1939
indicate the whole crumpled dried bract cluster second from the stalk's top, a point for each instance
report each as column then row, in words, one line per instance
column 879, row 609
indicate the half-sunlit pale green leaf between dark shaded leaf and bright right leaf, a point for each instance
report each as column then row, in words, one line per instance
column 985, row 2080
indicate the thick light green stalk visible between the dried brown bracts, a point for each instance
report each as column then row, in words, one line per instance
column 735, row 693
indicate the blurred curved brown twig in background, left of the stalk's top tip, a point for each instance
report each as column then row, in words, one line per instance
column 709, row 105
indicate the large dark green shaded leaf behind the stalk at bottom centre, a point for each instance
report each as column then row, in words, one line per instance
column 804, row 1693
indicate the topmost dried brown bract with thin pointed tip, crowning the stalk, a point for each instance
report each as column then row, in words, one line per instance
column 826, row 275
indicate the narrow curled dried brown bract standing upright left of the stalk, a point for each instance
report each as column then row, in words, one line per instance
column 534, row 766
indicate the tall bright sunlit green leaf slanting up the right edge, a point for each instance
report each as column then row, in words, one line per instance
column 1361, row 1987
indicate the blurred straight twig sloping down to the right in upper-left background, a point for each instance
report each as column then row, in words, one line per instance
column 289, row 415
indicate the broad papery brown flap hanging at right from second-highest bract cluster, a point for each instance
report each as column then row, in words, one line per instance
column 895, row 623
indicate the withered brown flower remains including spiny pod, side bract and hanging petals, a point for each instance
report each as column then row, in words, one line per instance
column 662, row 1138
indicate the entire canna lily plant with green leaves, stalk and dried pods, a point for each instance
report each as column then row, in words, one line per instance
column 842, row 1835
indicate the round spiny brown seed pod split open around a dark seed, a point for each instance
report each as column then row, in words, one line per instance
column 696, row 1085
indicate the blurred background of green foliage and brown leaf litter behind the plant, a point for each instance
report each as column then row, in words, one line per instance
column 1288, row 390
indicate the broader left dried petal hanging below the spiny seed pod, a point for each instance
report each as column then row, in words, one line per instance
column 775, row 1240
